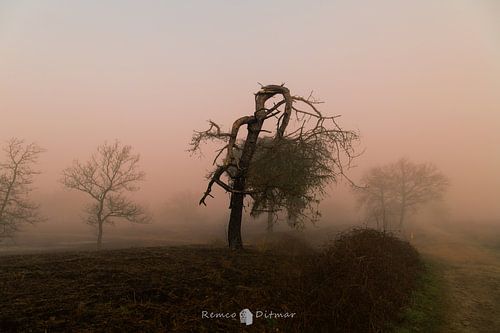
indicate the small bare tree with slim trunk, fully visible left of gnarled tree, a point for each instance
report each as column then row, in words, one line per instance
column 106, row 177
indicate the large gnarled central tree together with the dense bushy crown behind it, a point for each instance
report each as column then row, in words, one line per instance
column 312, row 133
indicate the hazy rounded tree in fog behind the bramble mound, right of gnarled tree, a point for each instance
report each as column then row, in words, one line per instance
column 395, row 191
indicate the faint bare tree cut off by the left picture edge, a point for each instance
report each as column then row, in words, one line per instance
column 16, row 180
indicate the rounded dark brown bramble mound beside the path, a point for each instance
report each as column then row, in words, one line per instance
column 360, row 282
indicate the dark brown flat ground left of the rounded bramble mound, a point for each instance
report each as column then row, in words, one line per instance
column 133, row 290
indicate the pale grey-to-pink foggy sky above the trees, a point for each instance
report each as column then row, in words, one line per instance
column 419, row 79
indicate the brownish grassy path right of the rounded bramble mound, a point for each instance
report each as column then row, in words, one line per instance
column 472, row 278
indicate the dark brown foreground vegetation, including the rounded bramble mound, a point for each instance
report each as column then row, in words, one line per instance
column 358, row 284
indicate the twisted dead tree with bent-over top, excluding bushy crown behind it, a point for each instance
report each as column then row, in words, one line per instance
column 311, row 129
